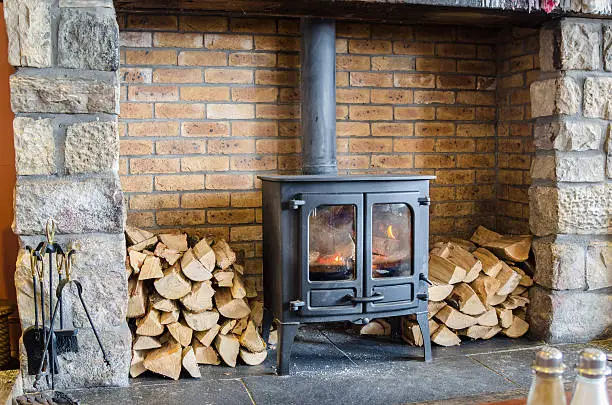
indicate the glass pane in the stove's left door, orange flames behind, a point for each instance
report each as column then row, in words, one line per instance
column 331, row 244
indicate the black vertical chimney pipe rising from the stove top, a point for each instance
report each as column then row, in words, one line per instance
column 318, row 93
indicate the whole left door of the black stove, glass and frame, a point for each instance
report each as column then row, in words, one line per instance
column 331, row 257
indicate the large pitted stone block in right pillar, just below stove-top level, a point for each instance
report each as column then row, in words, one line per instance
column 569, row 209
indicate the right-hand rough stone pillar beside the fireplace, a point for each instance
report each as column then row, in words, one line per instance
column 571, row 196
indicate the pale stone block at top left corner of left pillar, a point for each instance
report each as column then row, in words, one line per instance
column 28, row 25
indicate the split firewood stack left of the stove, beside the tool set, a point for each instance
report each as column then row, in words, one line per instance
column 188, row 305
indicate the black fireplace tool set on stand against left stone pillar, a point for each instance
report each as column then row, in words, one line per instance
column 42, row 341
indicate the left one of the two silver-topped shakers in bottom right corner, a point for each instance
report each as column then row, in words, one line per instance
column 547, row 384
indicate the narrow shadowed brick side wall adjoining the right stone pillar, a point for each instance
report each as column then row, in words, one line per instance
column 518, row 68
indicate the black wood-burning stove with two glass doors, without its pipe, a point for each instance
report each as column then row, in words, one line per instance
column 343, row 248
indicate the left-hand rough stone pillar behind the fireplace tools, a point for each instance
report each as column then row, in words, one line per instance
column 65, row 96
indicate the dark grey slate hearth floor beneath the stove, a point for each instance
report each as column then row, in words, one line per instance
column 332, row 365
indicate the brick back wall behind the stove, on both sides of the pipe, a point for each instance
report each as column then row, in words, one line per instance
column 210, row 102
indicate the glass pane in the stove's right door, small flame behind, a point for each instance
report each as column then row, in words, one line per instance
column 392, row 240
